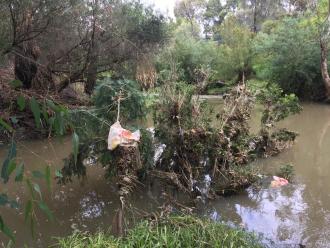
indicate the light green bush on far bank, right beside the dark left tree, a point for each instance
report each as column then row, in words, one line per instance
column 186, row 57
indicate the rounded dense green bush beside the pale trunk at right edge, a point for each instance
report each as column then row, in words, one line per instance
column 288, row 53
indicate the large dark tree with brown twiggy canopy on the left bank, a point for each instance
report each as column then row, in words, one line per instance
column 55, row 43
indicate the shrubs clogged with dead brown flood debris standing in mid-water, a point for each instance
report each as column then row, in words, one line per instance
column 195, row 146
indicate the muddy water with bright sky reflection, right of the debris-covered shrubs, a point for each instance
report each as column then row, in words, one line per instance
column 298, row 213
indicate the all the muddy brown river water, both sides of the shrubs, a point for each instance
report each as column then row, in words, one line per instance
column 295, row 214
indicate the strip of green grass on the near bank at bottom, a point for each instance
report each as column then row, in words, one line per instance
column 175, row 231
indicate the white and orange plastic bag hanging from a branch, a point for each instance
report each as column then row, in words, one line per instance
column 119, row 136
